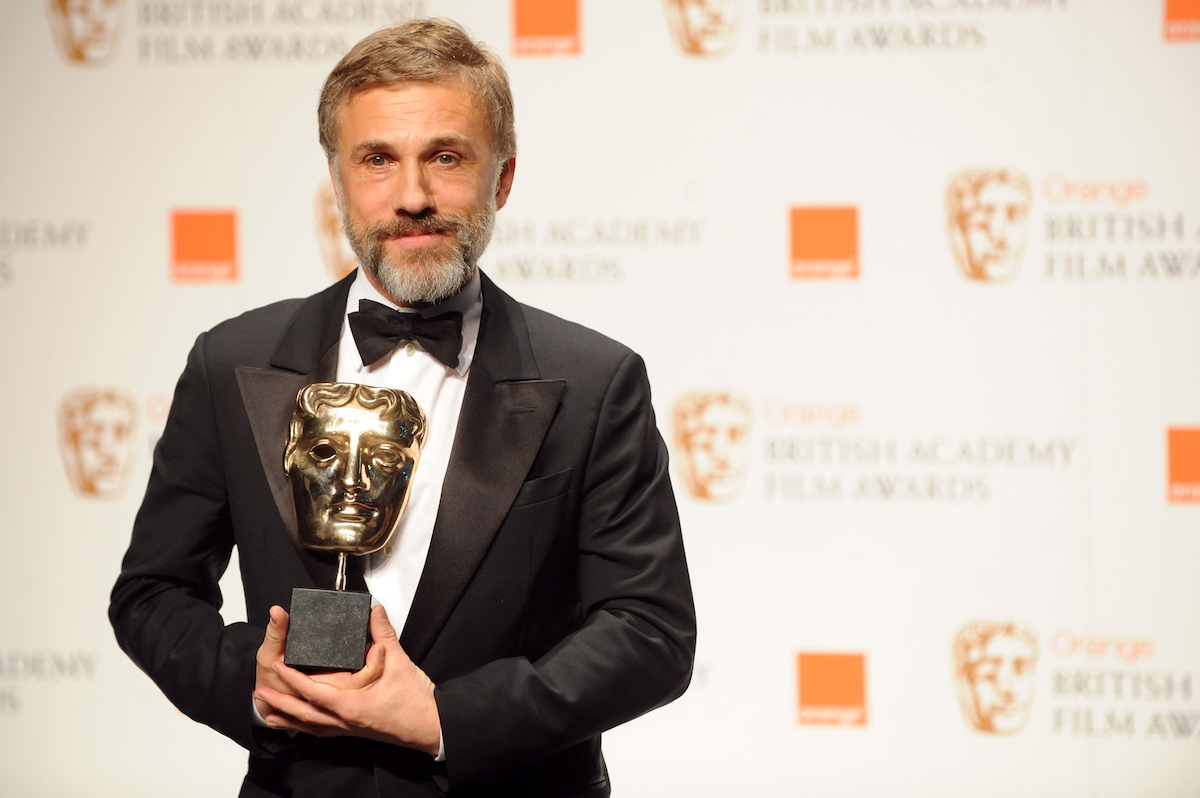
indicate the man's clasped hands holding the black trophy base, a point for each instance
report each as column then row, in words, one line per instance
column 389, row 700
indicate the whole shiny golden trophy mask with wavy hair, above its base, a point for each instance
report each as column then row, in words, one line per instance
column 351, row 457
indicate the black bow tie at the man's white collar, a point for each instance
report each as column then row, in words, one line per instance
column 377, row 329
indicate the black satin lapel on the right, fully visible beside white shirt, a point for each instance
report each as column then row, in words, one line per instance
column 505, row 418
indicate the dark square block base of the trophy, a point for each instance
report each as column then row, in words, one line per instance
column 328, row 631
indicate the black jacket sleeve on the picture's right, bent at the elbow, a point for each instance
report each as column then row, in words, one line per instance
column 634, row 650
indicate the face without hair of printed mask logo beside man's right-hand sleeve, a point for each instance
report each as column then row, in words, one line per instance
column 715, row 448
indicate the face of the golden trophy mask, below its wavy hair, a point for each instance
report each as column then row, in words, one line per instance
column 350, row 473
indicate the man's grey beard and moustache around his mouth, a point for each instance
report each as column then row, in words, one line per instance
column 424, row 278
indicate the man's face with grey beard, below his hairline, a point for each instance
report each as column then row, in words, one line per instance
column 419, row 187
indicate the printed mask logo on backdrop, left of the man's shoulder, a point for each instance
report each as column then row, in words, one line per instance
column 97, row 437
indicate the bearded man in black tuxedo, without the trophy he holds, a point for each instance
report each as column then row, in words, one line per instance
column 538, row 593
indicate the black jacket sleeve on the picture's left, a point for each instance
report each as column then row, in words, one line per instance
column 165, row 605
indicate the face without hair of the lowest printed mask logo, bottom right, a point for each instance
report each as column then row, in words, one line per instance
column 1003, row 685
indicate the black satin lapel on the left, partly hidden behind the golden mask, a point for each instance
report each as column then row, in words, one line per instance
column 308, row 353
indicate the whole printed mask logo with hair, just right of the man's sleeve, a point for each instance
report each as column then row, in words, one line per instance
column 712, row 434
